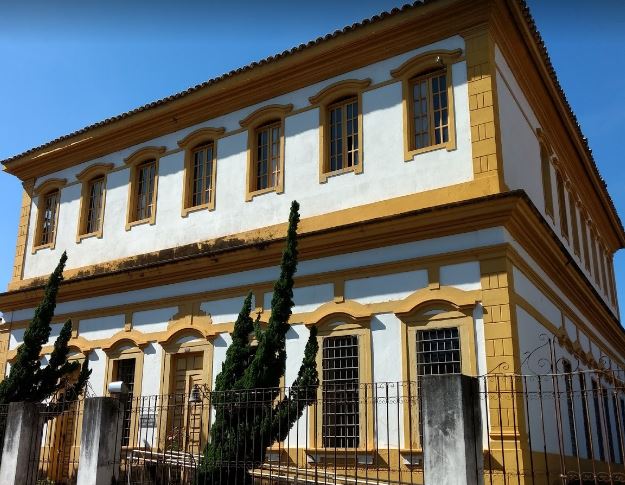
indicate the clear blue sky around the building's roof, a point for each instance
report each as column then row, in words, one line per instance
column 74, row 63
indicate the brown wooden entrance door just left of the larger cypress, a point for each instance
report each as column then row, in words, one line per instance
column 187, row 418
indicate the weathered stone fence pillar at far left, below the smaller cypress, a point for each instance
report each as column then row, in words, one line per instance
column 22, row 445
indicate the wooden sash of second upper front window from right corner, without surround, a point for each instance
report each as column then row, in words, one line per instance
column 343, row 135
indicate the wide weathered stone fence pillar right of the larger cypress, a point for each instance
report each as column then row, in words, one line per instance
column 452, row 430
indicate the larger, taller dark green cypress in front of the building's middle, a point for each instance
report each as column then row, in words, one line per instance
column 251, row 413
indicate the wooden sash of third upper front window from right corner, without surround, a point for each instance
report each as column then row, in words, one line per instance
column 267, row 156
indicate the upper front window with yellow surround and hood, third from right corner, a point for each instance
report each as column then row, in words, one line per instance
column 265, row 164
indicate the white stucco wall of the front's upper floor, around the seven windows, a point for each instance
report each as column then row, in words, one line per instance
column 384, row 167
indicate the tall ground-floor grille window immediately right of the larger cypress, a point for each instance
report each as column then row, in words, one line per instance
column 340, row 393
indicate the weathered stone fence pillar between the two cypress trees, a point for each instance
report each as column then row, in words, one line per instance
column 100, row 441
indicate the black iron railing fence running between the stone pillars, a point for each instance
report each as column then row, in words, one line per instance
column 565, row 428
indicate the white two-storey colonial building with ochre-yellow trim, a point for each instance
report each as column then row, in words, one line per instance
column 448, row 200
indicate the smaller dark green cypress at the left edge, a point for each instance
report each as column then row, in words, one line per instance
column 27, row 380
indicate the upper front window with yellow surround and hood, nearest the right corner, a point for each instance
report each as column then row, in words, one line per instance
column 428, row 101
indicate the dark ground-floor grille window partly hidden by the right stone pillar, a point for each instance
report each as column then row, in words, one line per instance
column 438, row 353
